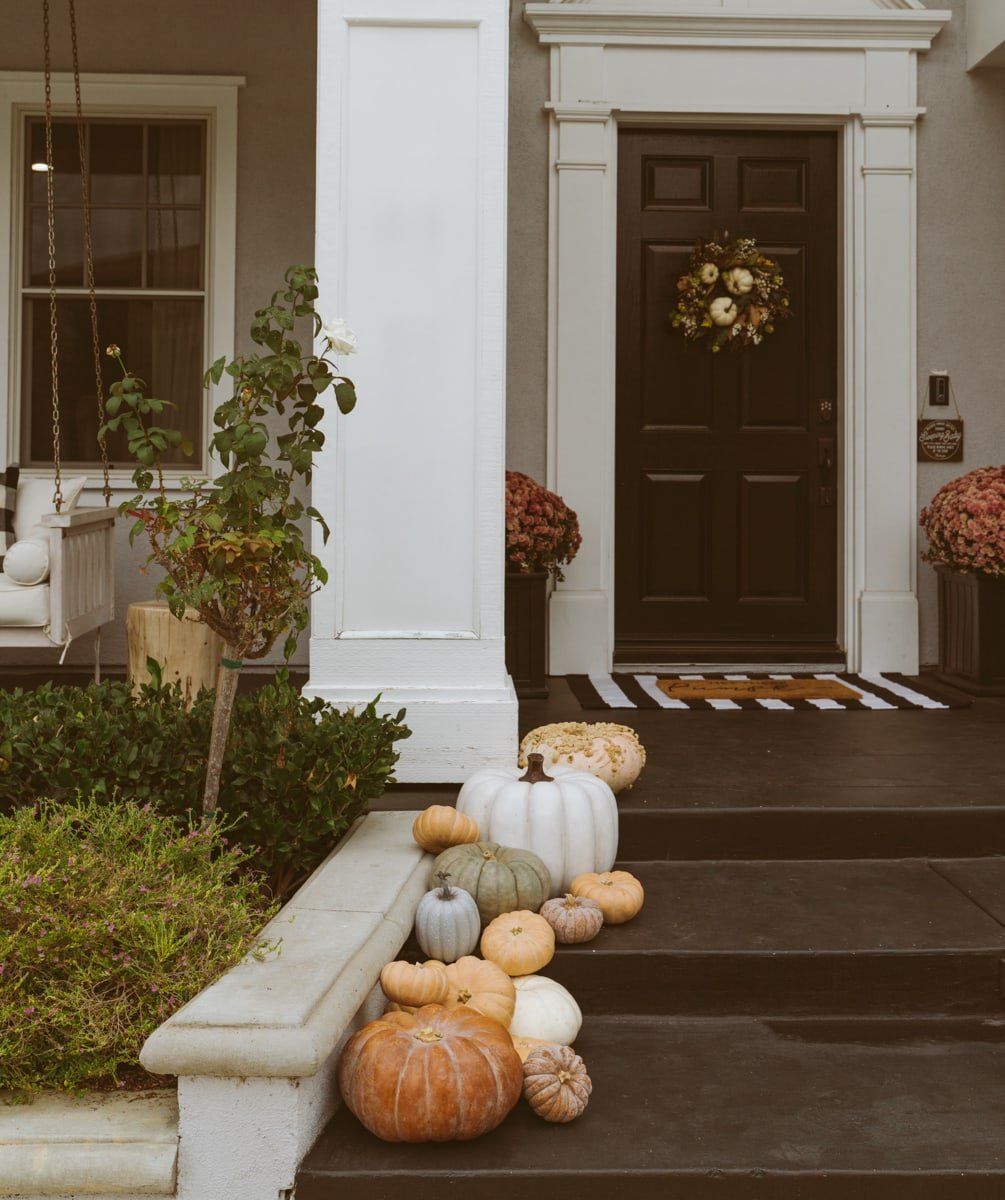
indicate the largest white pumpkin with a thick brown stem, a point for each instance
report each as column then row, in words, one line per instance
column 568, row 819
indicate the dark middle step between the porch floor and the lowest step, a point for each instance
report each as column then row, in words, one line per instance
column 825, row 937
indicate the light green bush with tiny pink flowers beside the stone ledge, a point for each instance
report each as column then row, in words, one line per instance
column 112, row 916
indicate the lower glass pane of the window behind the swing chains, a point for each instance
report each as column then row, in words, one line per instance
column 161, row 341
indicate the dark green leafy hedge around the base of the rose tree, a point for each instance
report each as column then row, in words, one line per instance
column 297, row 772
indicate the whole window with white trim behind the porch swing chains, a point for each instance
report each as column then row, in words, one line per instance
column 163, row 160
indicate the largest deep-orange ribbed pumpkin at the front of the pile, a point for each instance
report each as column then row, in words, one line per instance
column 437, row 1076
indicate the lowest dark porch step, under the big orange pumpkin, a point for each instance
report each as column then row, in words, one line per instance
column 745, row 1109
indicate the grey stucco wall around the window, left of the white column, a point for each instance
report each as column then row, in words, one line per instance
column 275, row 154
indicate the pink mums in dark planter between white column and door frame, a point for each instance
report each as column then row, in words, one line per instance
column 543, row 535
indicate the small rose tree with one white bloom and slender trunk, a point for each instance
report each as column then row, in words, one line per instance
column 233, row 549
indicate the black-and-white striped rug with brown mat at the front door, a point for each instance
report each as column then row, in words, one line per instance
column 767, row 693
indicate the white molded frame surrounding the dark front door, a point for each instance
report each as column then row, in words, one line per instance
column 852, row 70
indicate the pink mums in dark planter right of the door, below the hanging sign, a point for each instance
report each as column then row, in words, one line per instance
column 965, row 525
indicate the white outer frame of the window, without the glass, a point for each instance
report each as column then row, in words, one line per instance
column 212, row 99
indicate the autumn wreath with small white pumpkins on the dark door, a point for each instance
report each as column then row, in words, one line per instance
column 732, row 296
